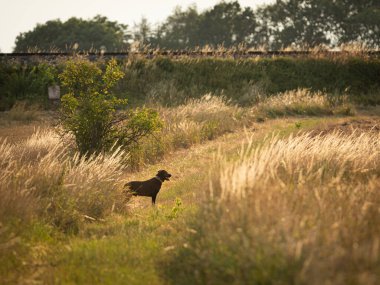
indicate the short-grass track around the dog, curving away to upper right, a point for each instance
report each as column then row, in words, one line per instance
column 191, row 166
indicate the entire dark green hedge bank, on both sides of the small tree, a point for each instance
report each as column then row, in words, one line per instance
column 171, row 81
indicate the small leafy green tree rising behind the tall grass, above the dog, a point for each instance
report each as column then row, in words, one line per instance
column 89, row 109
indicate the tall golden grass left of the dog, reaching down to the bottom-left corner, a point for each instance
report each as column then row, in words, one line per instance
column 45, row 188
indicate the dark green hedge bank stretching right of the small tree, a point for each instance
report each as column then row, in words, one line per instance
column 236, row 78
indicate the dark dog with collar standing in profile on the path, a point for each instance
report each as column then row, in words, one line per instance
column 149, row 188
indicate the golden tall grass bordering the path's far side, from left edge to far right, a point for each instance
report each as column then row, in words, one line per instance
column 44, row 166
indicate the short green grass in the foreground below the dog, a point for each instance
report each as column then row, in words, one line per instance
column 124, row 255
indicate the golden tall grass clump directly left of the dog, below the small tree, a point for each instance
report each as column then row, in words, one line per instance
column 40, row 179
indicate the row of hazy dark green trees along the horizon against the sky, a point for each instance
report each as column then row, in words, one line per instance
column 297, row 23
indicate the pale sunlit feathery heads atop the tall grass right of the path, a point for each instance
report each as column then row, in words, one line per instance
column 304, row 160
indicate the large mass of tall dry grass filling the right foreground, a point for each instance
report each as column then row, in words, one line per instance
column 296, row 210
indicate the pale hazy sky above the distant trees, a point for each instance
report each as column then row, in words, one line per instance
column 17, row 16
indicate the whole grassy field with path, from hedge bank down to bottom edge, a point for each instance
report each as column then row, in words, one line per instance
column 284, row 192
